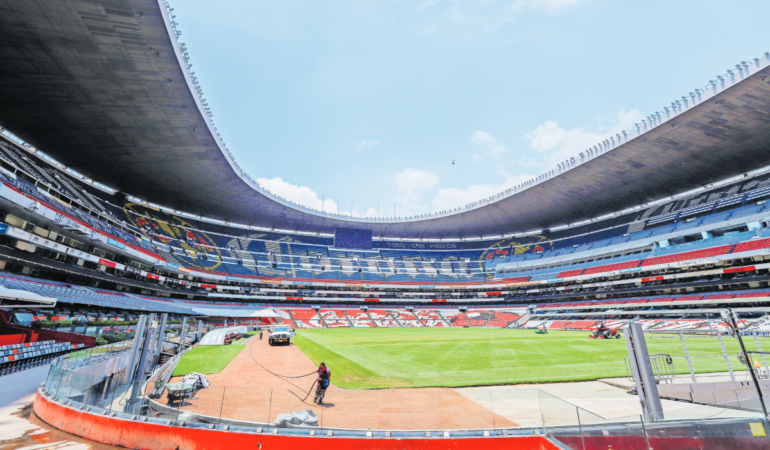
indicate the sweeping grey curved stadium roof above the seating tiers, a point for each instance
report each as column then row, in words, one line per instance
column 101, row 86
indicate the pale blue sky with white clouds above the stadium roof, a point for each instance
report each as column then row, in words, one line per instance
column 380, row 106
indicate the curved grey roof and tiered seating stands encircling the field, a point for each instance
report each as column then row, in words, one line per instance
column 88, row 164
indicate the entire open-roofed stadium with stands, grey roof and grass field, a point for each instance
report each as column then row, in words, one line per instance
column 618, row 300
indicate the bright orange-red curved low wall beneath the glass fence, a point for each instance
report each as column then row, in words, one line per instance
column 142, row 435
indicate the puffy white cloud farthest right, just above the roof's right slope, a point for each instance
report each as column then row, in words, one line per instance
column 559, row 144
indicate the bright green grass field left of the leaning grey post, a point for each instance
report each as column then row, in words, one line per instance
column 418, row 357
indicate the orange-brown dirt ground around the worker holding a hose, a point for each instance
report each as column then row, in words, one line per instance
column 247, row 391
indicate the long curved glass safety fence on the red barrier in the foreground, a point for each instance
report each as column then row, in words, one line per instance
column 94, row 381
